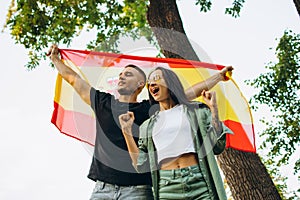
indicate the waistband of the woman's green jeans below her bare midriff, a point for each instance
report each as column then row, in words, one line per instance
column 175, row 173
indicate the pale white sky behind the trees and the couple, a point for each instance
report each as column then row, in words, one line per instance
column 38, row 162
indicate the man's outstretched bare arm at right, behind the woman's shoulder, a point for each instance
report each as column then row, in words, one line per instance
column 196, row 90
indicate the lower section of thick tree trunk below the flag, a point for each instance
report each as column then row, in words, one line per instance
column 246, row 175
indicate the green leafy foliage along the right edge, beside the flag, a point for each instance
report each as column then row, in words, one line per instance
column 279, row 90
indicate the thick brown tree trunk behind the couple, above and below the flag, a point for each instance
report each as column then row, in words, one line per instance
column 246, row 175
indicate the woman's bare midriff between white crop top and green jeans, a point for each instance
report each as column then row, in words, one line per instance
column 185, row 160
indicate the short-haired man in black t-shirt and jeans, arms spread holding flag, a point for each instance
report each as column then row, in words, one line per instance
column 111, row 166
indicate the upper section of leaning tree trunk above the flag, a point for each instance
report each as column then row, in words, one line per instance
column 164, row 19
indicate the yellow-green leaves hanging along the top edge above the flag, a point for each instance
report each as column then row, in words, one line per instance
column 36, row 24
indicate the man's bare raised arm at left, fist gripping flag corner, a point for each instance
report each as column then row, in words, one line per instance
column 81, row 86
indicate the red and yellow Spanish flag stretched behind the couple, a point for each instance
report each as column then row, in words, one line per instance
column 76, row 119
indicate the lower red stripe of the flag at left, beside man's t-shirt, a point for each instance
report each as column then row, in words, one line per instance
column 74, row 124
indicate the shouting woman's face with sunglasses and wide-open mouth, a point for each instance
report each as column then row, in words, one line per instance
column 157, row 86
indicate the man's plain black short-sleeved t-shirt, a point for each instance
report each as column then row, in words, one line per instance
column 111, row 161
